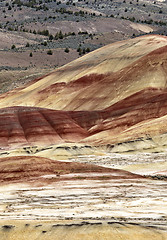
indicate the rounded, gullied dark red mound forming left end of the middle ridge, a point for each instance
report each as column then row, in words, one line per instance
column 20, row 126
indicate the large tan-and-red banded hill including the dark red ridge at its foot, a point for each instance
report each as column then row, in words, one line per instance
column 114, row 95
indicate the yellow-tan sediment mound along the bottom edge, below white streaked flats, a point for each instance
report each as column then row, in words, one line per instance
column 78, row 231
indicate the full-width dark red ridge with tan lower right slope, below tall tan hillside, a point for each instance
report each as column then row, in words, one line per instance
column 23, row 126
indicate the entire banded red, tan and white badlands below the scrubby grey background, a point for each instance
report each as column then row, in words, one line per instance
column 112, row 100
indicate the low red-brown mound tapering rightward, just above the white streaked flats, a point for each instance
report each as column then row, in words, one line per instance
column 31, row 168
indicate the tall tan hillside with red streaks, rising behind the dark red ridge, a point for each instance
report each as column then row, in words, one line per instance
column 99, row 79
